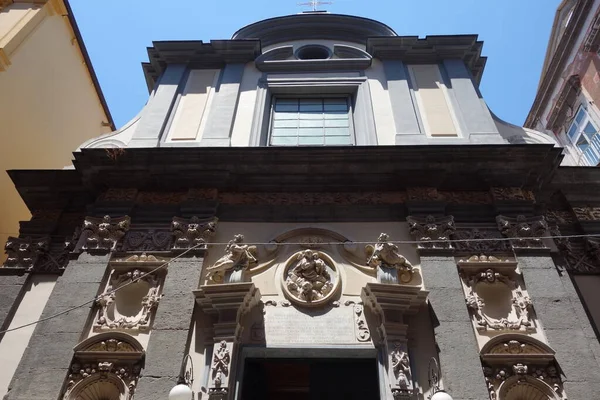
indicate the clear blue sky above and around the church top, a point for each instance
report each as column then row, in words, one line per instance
column 515, row 35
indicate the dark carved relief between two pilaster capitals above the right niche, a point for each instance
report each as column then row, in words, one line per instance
column 479, row 240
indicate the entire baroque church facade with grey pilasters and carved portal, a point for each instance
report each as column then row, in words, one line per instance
column 316, row 208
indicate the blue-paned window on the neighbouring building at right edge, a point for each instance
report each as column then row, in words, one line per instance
column 583, row 133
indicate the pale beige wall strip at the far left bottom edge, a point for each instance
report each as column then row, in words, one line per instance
column 14, row 343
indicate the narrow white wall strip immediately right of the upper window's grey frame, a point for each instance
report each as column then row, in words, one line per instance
column 382, row 107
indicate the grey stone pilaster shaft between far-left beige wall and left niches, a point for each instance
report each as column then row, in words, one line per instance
column 45, row 363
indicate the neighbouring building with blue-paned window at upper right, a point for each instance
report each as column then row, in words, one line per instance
column 566, row 102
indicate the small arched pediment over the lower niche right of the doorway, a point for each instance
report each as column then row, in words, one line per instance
column 512, row 346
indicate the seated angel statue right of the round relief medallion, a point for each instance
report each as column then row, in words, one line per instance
column 390, row 264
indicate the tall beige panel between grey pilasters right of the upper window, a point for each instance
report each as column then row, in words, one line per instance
column 432, row 101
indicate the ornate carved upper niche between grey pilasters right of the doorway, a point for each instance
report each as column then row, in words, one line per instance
column 495, row 296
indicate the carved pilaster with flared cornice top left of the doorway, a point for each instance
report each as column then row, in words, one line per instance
column 226, row 304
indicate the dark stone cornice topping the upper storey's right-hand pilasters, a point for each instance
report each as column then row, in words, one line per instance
column 431, row 49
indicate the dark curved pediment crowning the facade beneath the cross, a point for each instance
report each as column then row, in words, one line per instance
column 317, row 25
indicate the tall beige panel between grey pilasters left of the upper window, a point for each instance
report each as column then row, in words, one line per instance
column 193, row 106
